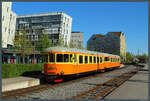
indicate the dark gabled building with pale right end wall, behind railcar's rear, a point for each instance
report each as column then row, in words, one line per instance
column 112, row 42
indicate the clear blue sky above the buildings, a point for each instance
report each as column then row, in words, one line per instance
column 99, row 17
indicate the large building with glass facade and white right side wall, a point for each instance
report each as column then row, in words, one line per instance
column 56, row 25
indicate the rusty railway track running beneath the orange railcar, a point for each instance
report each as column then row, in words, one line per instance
column 22, row 92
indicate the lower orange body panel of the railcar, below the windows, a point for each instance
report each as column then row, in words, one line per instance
column 69, row 69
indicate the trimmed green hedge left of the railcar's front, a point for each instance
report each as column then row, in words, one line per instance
column 14, row 70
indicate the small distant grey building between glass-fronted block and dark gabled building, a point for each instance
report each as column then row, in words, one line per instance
column 77, row 39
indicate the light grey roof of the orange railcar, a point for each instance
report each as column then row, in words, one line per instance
column 65, row 49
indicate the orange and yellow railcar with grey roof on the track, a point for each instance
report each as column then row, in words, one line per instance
column 63, row 62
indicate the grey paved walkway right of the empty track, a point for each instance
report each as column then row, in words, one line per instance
column 135, row 88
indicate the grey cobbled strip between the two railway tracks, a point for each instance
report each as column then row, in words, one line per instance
column 67, row 91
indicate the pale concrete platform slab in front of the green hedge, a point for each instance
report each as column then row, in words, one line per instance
column 18, row 83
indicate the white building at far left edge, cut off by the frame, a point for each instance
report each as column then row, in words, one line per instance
column 8, row 24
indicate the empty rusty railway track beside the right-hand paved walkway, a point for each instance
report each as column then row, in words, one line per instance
column 102, row 90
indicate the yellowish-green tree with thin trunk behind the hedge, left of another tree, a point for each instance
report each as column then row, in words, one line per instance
column 22, row 44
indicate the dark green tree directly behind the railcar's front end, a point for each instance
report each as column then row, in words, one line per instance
column 43, row 43
